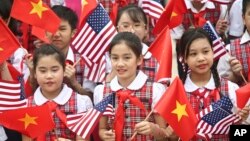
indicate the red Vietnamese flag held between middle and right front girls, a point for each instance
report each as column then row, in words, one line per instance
column 175, row 108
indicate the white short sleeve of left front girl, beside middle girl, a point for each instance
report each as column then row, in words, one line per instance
column 83, row 103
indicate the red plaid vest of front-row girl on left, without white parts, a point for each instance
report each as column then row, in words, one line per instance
column 61, row 130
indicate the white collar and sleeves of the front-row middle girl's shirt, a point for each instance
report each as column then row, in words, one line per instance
column 138, row 83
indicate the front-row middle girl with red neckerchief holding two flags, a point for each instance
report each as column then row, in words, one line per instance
column 133, row 90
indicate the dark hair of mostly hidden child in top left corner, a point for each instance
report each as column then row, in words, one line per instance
column 5, row 8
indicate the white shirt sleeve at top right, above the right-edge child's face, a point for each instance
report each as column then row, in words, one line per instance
column 236, row 26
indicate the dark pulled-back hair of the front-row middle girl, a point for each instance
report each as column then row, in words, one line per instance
column 130, row 39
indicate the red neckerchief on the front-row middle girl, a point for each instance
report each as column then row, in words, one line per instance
column 122, row 96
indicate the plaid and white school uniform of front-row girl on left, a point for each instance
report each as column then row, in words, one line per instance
column 68, row 102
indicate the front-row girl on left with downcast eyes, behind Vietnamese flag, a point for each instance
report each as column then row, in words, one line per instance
column 51, row 88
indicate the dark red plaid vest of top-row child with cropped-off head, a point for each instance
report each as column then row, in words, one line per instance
column 211, row 14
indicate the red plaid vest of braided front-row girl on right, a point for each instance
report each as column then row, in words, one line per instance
column 196, row 103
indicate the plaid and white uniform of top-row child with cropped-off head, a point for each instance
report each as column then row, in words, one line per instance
column 213, row 12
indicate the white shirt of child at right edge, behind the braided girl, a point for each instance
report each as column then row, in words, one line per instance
column 223, row 66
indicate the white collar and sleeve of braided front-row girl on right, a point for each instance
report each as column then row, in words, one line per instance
column 232, row 87
